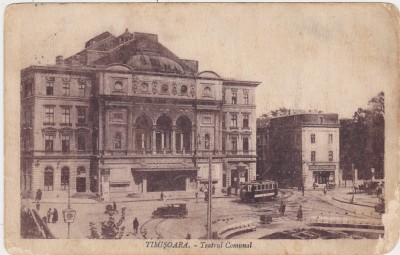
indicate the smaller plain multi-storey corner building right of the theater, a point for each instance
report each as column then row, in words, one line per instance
column 300, row 149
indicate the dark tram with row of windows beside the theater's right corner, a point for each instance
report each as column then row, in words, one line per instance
column 258, row 190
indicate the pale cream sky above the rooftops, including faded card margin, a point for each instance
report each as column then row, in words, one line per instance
column 328, row 57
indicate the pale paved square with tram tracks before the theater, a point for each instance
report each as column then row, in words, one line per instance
column 225, row 211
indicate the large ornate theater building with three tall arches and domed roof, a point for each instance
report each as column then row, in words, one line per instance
column 126, row 115
